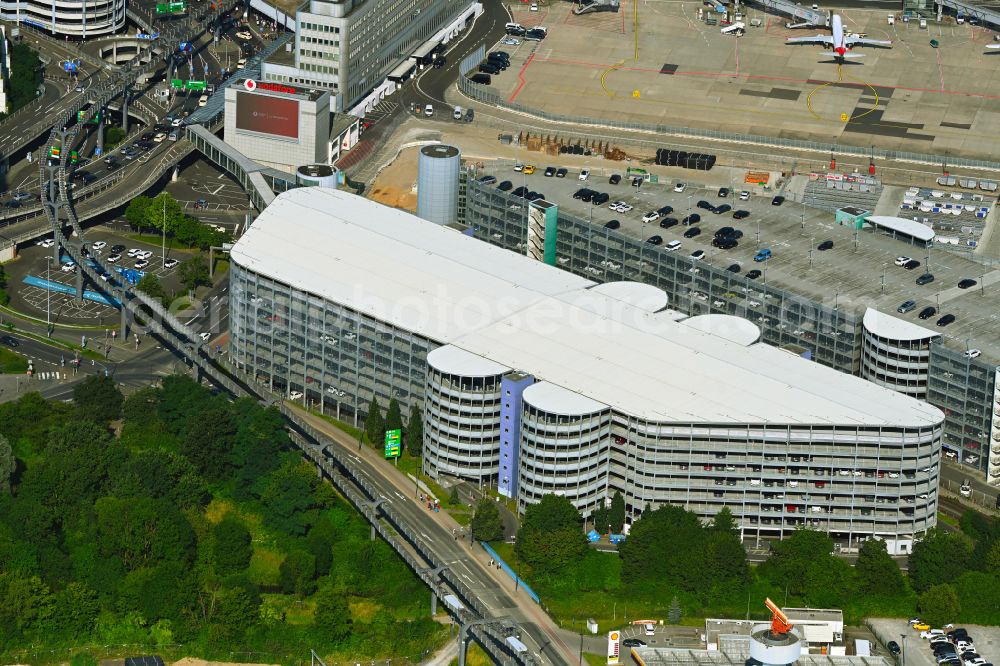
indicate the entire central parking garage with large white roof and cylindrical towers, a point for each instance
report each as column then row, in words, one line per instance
column 604, row 387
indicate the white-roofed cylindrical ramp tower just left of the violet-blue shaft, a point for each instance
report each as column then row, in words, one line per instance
column 462, row 415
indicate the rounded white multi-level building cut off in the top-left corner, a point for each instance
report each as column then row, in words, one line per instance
column 76, row 20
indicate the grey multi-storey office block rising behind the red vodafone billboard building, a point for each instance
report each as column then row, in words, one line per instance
column 348, row 47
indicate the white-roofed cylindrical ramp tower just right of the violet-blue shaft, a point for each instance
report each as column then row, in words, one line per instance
column 564, row 447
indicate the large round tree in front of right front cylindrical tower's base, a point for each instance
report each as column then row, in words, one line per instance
column 550, row 539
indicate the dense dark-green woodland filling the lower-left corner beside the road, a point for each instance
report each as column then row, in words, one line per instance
column 164, row 531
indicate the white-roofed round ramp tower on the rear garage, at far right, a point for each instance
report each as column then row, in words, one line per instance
column 896, row 354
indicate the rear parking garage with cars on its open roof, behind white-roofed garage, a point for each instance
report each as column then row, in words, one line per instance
column 838, row 307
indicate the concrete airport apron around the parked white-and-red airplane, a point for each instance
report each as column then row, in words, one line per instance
column 688, row 66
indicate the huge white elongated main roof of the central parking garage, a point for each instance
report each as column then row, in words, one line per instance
column 520, row 313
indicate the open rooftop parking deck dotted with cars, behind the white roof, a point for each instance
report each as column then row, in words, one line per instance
column 857, row 272
